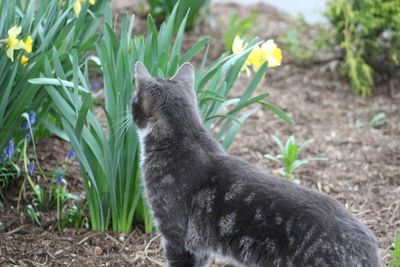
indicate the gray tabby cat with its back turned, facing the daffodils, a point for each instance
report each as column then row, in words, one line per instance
column 206, row 202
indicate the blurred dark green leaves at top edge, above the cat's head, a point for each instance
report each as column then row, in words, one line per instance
column 162, row 9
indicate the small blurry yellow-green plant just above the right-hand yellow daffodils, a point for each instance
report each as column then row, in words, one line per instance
column 237, row 27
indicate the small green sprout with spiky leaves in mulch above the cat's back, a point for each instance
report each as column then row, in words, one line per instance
column 289, row 156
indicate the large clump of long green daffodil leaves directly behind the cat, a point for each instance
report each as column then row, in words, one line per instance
column 109, row 158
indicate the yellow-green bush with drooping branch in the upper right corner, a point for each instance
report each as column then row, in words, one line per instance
column 369, row 32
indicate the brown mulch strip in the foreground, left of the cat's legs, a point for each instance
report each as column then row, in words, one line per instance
column 28, row 245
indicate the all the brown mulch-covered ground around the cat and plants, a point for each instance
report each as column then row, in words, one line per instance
column 362, row 170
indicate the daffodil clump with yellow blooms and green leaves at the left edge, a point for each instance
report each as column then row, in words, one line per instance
column 29, row 33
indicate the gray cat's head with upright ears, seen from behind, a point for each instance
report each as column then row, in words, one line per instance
column 170, row 102
